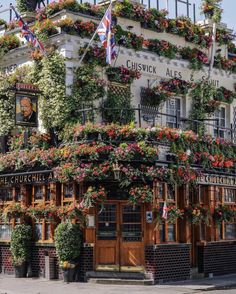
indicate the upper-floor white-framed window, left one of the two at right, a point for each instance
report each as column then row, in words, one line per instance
column 173, row 108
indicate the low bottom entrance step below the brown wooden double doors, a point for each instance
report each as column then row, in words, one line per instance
column 121, row 282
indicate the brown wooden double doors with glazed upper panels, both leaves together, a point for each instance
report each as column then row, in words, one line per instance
column 119, row 237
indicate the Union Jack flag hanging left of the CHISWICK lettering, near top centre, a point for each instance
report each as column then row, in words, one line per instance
column 106, row 36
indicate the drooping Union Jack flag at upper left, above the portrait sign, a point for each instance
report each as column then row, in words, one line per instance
column 27, row 34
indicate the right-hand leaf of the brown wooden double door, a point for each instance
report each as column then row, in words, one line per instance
column 131, row 238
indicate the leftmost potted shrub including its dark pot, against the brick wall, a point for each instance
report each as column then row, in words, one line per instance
column 20, row 248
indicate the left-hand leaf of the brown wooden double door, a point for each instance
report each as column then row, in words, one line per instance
column 107, row 237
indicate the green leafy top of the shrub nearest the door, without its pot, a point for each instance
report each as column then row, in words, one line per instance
column 68, row 240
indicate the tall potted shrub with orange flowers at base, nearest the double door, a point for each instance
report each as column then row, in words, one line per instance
column 68, row 239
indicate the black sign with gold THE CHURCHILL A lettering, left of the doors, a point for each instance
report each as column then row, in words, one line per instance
column 26, row 178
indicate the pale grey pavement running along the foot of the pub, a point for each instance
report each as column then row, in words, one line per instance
column 12, row 285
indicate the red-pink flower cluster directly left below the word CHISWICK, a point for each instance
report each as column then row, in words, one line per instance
column 122, row 74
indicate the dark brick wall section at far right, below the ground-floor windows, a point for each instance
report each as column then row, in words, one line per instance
column 218, row 258
